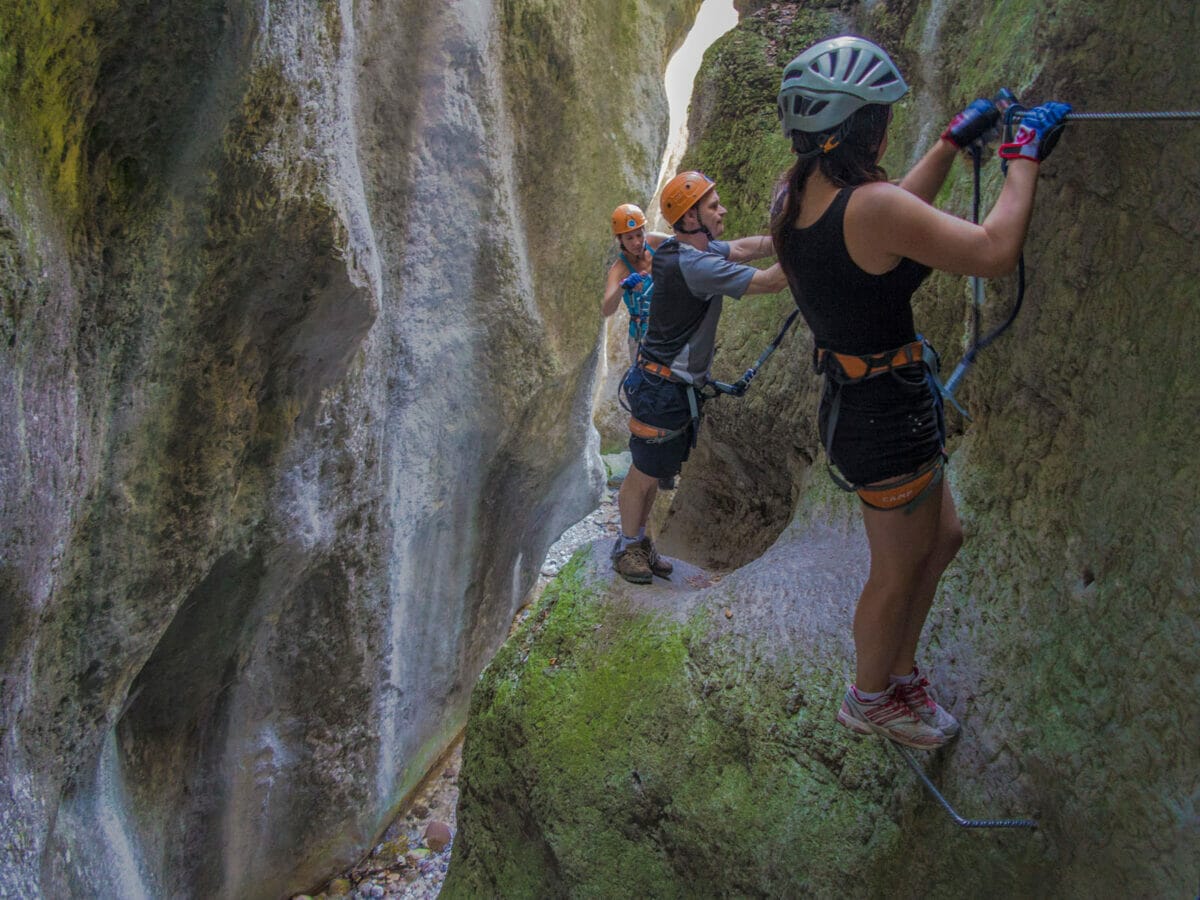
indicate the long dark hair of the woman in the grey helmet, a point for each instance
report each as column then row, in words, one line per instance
column 855, row 161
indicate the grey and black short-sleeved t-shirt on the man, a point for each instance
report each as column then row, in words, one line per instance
column 685, row 316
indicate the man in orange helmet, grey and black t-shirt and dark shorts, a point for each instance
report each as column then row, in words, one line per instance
column 693, row 273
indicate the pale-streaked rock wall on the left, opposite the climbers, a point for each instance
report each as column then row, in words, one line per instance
column 299, row 340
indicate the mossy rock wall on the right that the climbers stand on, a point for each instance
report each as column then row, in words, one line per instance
column 1065, row 634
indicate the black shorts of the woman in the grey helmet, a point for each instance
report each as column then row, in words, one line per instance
column 887, row 427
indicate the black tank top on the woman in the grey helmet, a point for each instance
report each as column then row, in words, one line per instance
column 849, row 310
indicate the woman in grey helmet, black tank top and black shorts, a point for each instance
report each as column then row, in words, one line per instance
column 855, row 249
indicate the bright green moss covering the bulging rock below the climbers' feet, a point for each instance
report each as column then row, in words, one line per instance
column 611, row 753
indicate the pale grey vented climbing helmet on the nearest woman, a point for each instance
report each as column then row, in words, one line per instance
column 833, row 80
